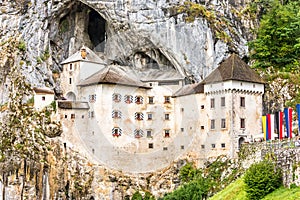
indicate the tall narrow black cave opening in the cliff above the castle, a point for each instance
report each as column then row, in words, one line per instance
column 97, row 31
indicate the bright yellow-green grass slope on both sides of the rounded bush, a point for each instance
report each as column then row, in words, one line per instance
column 235, row 191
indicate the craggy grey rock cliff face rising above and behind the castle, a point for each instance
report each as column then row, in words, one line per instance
column 128, row 32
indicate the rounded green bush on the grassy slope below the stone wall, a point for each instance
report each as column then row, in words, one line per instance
column 261, row 179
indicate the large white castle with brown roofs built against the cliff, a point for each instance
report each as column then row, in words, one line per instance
column 140, row 120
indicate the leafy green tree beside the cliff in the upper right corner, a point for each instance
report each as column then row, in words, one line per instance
column 278, row 37
